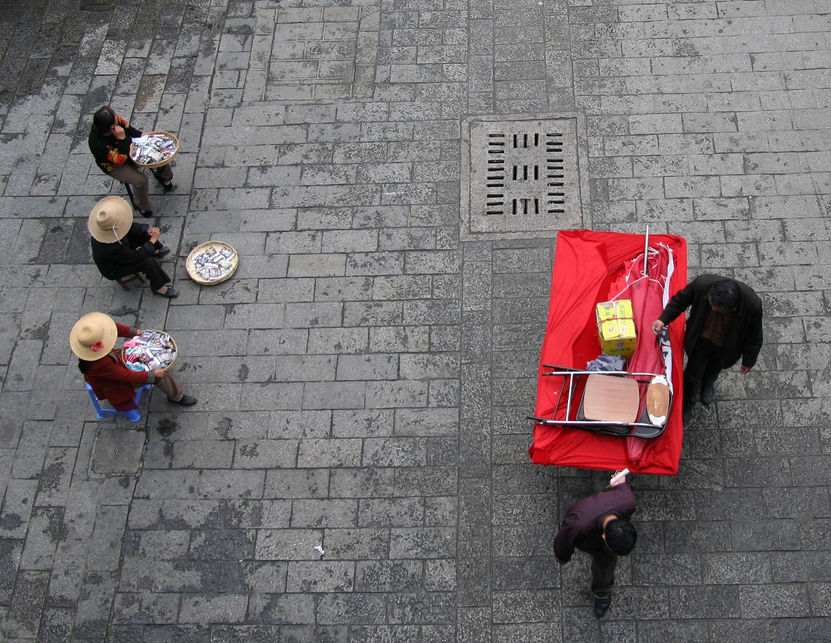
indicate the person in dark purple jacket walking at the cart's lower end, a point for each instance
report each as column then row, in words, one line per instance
column 599, row 525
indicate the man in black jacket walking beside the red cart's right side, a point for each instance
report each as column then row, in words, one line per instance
column 725, row 324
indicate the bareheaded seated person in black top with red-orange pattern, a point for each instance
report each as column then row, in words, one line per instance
column 109, row 141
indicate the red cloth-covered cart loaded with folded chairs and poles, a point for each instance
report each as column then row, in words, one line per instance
column 607, row 419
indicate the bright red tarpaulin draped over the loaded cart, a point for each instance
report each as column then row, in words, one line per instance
column 589, row 267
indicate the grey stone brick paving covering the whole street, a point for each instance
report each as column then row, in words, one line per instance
column 365, row 376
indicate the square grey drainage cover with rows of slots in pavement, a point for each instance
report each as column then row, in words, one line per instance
column 523, row 176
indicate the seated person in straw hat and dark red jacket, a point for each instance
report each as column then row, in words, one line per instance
column 92, row 339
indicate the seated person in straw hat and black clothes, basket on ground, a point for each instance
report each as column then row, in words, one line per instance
column 121, row 247
